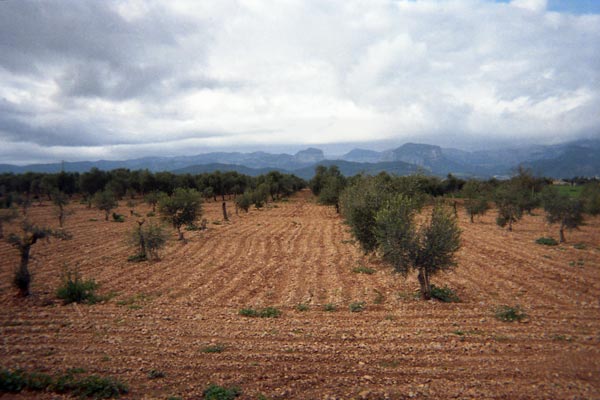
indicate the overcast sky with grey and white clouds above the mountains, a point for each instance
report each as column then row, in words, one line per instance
column 119, row 79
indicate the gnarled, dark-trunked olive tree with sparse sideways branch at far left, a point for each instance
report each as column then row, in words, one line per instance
column 23, row 243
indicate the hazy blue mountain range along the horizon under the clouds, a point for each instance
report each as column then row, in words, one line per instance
column 578, row 158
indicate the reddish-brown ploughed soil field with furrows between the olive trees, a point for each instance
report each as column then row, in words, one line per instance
column 165, row 315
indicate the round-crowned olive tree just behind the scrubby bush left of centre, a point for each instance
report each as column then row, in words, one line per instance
column 183, row 207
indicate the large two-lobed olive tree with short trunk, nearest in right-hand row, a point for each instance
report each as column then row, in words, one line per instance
column 427, row 249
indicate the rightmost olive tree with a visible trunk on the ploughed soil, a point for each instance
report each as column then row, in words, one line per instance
column 562, row 209
